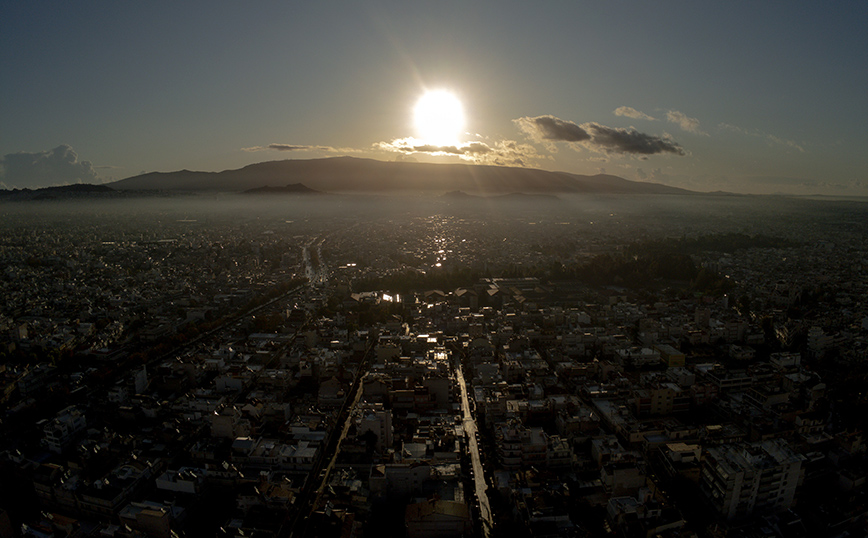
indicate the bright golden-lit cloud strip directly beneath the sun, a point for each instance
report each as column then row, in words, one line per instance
column 502, row 152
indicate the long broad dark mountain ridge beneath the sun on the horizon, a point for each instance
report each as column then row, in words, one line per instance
column 350, row 174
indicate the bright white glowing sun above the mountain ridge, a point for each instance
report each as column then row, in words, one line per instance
column 439, row 118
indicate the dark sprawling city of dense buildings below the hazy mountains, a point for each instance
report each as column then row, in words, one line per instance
column 278, row 365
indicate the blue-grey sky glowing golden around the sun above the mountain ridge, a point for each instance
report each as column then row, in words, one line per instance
column 752, row 97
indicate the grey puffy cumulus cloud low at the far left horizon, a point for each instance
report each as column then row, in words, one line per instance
column 58, row 166
